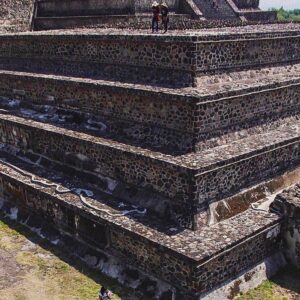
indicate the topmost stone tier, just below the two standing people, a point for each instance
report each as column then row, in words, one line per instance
column 138, row 56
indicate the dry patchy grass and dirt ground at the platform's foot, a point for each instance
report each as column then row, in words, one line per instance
column 32, row 269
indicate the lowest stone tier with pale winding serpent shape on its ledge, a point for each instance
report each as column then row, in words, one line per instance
column 194, row 262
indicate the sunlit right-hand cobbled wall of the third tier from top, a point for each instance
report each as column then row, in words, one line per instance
column 224, row 181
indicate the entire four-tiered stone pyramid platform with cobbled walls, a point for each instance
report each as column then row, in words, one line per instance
column 162, row 151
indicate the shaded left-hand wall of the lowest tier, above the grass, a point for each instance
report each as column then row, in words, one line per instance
column 96, row 232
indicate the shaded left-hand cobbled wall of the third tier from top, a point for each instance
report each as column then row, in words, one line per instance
column 170, row 181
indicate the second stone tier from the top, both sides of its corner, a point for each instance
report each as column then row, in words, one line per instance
column 222, row 108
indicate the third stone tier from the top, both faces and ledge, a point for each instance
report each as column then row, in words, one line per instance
column 185, row 184
